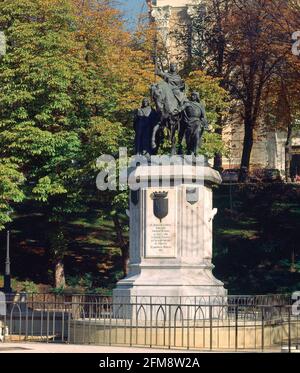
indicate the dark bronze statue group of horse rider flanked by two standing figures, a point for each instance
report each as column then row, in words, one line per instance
column 175, row 116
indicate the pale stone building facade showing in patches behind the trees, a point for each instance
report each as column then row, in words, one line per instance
column 173, row 16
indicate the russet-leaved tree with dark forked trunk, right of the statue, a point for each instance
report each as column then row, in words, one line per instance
column 246, row 42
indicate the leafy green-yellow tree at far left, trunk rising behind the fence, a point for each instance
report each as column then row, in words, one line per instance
column 42, row 112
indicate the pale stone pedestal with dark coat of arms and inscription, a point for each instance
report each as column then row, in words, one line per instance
column 171, row 237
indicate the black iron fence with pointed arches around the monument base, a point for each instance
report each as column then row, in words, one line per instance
column 198, row 323
